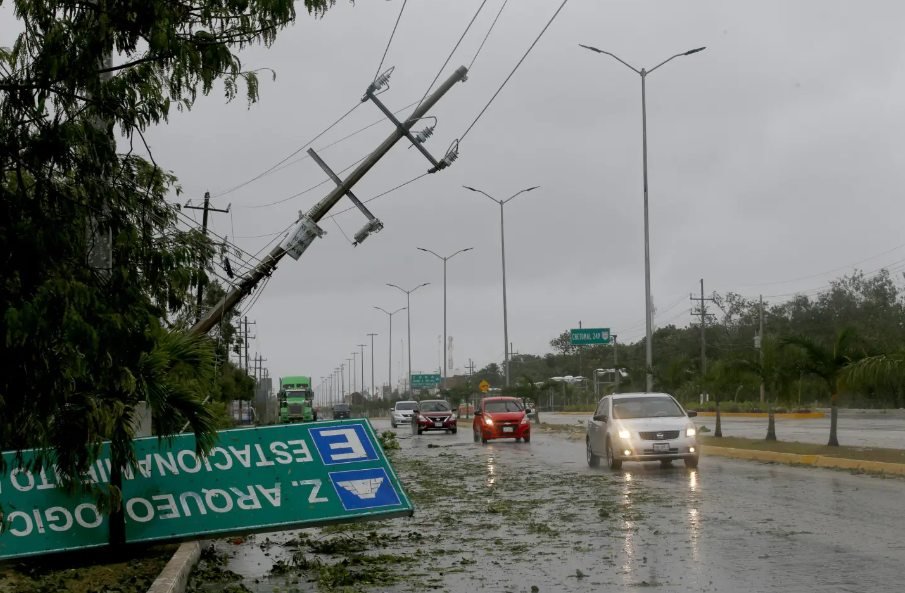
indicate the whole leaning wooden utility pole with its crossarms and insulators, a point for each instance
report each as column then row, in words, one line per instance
column 306, row 228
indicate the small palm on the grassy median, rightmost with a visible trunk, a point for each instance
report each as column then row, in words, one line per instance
column 828, row 363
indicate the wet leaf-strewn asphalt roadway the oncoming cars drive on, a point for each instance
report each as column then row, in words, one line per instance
column 511, row 516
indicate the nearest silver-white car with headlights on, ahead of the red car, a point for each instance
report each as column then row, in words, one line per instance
column 641, row 427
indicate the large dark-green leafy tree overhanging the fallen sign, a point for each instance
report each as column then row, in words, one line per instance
column 84, row 343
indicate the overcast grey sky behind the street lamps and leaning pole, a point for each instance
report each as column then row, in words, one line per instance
column 774, row 160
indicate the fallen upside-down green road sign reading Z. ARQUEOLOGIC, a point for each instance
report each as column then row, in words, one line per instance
column 253, row 480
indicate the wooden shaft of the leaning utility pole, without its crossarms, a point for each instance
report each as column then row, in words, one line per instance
column 306, row 229
